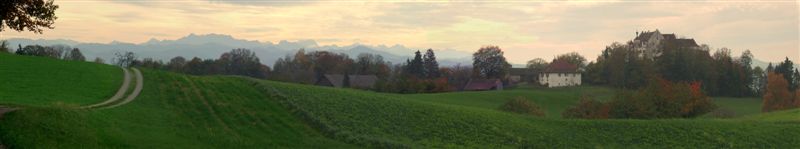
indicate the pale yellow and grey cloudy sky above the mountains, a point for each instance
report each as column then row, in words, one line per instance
column 524, row 29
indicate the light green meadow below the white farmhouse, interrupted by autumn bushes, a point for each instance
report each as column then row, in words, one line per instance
column 556, row 100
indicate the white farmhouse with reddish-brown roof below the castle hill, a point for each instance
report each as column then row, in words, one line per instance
column 559, row 74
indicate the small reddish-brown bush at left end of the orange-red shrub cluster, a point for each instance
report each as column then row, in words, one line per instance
column 588, row 109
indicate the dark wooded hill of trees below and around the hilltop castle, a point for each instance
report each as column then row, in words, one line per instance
column 622, row 66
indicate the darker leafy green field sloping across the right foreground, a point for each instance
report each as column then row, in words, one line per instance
column 374, row 119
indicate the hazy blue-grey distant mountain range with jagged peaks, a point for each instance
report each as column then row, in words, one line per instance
column 213, row 45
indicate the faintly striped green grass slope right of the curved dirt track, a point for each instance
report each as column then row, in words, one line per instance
column 173, row 111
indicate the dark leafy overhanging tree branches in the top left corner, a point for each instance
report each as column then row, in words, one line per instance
column 31, row 15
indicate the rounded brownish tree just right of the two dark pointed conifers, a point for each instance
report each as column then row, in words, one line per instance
column 489, row 63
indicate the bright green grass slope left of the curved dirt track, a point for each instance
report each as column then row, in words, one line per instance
column 39, row 81
